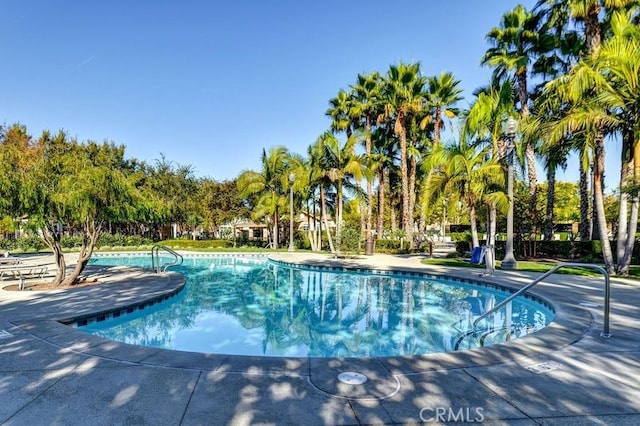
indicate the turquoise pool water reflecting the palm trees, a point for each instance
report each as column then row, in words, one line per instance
column 244, row 305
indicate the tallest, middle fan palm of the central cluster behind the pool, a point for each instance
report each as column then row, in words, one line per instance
column 404, row 95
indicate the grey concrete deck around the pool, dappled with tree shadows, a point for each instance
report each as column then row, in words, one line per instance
column 565, row 374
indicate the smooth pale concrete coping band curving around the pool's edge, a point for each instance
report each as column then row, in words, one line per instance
column 571, row 324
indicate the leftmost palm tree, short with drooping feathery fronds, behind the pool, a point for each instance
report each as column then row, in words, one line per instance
column 269, row 185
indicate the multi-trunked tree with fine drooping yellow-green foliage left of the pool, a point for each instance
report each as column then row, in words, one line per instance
column 74, row 187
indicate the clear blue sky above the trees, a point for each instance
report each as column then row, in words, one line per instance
column 211, row 83
